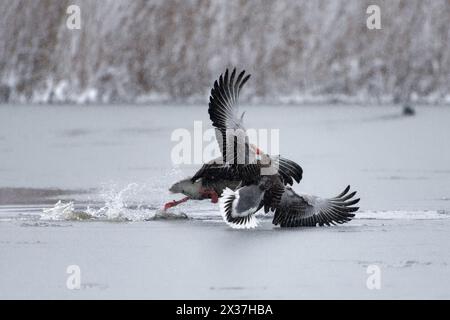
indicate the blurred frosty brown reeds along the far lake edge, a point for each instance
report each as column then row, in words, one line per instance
column 171, row 50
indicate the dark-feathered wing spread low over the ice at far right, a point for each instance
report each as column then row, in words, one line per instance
column 300, row 210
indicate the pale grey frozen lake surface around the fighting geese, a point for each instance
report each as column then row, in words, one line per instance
column 111, row 167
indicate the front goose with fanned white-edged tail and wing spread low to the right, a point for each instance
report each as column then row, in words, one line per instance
column 238, row 207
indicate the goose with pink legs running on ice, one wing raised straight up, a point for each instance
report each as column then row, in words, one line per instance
column 240, row 160
